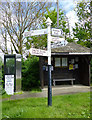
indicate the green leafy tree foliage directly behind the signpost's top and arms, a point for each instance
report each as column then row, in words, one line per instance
column 41, row 40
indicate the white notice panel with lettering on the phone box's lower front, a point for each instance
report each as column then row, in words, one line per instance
column 9, row 84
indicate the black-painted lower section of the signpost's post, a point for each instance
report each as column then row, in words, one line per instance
column 49, row 86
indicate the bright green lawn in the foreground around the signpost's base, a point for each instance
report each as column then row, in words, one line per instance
column 64, row 106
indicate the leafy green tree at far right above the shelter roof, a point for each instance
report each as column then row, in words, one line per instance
column 82, row 29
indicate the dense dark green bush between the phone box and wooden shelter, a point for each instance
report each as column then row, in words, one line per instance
column 30, row 73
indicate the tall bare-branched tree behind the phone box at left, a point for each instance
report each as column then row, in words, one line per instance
column 15, row 19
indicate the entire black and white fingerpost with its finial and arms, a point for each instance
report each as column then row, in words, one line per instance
column 39, row 52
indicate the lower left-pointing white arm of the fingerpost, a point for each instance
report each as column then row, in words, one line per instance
column 38, row 52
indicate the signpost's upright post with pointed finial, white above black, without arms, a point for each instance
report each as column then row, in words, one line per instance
column 49, row 62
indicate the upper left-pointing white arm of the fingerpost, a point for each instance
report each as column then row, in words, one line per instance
column 35, row 32
